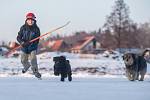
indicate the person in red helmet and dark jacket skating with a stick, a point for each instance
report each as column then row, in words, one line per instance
column 27, row 32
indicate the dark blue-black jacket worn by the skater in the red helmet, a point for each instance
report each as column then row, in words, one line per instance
column 26, row 34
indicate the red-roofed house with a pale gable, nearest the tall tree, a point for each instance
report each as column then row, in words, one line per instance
column 86, row 45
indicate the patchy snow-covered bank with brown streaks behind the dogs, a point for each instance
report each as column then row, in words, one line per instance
column 81, row 64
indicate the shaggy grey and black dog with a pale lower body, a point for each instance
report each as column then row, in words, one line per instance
column 135, row 66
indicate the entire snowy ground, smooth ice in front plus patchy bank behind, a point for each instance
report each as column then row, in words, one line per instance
column 88, row 81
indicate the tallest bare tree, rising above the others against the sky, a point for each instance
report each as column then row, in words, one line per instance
column 118, row 22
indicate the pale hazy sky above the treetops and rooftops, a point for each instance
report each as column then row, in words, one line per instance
column 85, row 15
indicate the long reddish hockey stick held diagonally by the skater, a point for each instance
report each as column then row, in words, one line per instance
column 18, row 47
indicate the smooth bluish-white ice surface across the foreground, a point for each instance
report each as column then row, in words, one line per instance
column 19, row 88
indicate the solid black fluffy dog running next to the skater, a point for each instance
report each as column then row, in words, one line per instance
column 62, row 67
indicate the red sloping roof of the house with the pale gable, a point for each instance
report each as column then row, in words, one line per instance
column 82, row 43
